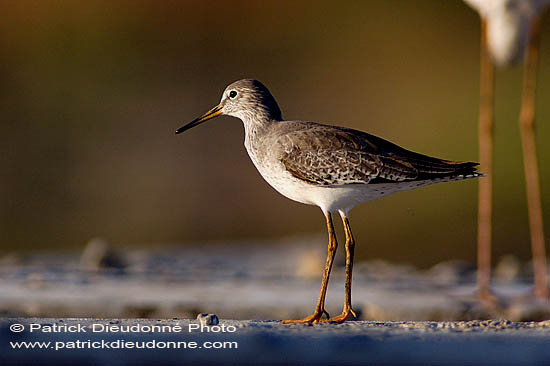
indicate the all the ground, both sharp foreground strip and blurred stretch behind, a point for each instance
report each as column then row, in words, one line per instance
column 407, row 316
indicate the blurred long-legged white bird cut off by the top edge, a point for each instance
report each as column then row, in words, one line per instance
column 510, row 30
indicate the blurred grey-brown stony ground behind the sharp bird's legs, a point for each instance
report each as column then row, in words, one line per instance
column 250, row 282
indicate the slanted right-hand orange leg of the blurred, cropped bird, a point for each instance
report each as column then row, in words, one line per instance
column 527, row 128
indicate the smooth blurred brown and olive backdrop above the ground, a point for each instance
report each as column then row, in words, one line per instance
column 92, row 92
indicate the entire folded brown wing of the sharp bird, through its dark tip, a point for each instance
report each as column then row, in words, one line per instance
column 339, row 156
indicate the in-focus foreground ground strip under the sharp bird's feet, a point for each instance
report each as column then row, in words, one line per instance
column 270, row 342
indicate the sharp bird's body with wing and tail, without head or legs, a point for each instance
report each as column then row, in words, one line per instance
column 338, row 168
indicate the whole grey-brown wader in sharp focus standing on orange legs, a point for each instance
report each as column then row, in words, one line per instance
column 332, row 167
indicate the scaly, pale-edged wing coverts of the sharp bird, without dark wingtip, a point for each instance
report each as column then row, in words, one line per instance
column 334, row 157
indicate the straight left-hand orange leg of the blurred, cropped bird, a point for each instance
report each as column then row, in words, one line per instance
column 485, row 203
